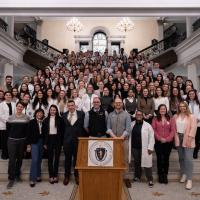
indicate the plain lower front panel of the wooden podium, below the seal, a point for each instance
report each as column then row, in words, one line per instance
column 100, row 185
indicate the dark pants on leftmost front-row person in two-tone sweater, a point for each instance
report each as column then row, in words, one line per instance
column 16, row 154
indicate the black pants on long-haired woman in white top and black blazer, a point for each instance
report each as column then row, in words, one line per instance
column 54, row 149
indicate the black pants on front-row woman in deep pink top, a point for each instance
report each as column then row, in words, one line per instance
column 163, row 151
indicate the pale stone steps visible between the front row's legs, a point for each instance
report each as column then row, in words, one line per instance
column 174, row 168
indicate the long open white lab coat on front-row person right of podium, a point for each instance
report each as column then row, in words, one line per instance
column 148, row 142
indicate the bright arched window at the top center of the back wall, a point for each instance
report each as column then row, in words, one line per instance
column 99, row 42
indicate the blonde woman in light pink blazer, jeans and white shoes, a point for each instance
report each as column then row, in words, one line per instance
column 186, row 125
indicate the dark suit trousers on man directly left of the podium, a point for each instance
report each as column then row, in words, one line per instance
column 70, row 151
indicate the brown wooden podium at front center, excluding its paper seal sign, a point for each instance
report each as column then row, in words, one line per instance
column 100, row 182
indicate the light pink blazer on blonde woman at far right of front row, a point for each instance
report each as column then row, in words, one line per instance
column 191, row 128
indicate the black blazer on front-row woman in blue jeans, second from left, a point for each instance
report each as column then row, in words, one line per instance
column 34, row 132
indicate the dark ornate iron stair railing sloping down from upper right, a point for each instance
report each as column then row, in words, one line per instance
column 156, row 49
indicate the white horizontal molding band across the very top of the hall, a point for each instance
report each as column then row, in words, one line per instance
column 100, row 12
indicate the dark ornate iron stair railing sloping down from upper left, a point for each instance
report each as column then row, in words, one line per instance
column 27, row 38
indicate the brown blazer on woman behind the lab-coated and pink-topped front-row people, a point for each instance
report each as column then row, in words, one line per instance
column 147, row 107
